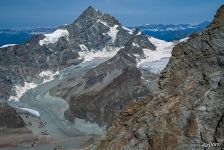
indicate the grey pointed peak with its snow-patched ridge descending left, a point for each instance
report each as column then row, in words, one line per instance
column 92, row 31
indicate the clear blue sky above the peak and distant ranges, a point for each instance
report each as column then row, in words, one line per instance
column 52, row 13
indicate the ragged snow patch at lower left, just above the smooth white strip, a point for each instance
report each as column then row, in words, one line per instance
column 20, row 90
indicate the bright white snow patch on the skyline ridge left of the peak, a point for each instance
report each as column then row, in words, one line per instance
column 53, row 37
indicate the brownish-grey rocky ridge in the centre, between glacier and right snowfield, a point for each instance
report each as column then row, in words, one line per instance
column 108, row 87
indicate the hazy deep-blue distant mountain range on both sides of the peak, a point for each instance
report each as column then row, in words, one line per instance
column 167, row 32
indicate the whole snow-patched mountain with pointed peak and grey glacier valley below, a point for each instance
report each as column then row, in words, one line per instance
column 76, row 80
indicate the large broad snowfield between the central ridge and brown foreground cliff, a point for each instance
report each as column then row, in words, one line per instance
column 156, row 60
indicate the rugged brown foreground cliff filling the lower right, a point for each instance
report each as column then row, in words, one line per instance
column 188, row 109
